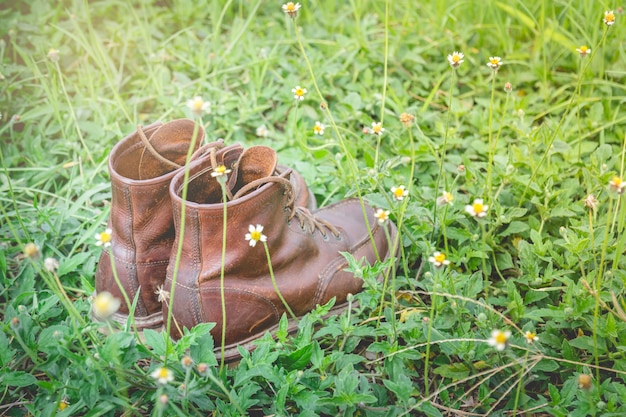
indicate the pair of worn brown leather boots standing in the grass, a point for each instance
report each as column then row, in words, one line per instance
column 305, row 244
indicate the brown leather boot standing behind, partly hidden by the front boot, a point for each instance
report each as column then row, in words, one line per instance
column 141, row 170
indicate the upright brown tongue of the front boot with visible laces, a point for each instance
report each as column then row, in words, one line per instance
column 255, row 163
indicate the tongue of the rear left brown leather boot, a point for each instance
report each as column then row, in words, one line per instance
column 166, row 149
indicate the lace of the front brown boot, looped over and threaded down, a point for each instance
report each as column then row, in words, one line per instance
column 308, row 221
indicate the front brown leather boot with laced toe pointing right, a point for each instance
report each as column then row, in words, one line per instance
column 304, row 247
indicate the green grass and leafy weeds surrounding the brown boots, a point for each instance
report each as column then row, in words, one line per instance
column 416, row 344
